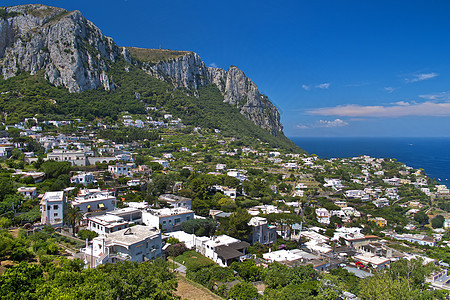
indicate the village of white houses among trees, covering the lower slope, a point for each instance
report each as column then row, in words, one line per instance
column 166, row 188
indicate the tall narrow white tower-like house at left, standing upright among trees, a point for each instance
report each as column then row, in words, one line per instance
column 52, row 205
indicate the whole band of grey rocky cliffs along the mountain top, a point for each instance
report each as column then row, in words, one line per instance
column 72, row 52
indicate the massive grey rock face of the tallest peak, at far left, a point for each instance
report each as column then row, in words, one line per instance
column 71, row 51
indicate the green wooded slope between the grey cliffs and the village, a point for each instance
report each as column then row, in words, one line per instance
column 24, row 96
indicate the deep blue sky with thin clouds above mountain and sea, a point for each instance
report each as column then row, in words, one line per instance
column 333, row 68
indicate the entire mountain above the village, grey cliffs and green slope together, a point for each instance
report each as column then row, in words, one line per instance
column 55, row 63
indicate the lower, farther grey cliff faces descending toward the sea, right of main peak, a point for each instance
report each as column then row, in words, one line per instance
column 189, row 71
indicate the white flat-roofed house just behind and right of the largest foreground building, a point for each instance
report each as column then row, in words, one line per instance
column 167, row 219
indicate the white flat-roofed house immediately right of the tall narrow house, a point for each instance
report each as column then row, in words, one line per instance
column 94, row 200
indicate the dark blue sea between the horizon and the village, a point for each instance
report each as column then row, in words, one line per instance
column 430, row 154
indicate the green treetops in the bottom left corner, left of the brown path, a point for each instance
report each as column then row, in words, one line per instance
column 68, row 280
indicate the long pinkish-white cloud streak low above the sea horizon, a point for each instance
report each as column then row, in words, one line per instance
column 401, row 109
